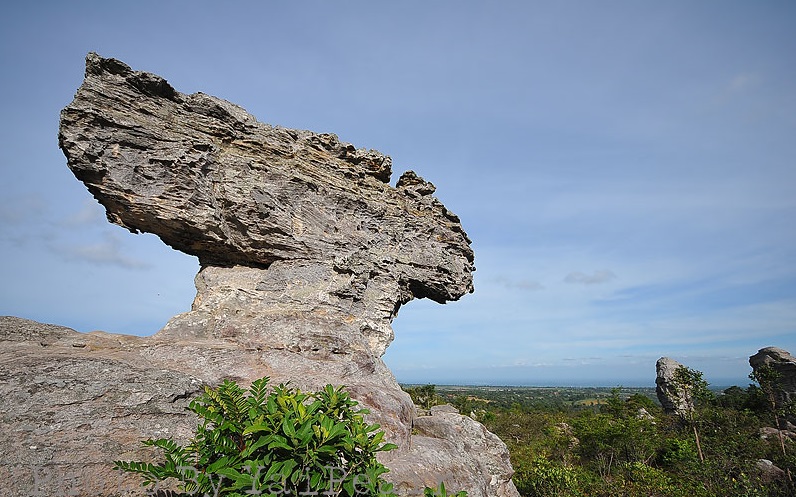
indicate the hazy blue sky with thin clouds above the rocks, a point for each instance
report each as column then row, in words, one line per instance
column 626, row 169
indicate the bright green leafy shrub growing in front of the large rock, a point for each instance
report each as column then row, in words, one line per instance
column 261, row 442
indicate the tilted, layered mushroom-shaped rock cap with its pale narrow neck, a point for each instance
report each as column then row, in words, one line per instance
column 309, row 223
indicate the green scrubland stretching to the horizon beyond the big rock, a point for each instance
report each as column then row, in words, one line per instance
column 592, row 442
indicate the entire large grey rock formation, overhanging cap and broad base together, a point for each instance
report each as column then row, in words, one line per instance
column 307, row 253
